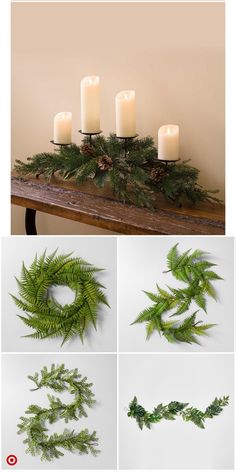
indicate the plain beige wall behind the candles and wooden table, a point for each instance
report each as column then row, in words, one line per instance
column 172, row 54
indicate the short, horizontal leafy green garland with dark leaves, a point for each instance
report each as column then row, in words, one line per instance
column 173, row 409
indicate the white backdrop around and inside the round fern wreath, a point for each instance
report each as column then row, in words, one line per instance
column 98, row 251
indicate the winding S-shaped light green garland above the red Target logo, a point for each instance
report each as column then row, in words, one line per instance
column 59, row 379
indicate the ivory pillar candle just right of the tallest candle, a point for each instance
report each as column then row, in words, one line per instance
column 125, row 114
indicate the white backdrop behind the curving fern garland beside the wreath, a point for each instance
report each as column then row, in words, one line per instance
column 141, row 265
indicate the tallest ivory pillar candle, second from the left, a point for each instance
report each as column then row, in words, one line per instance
column 90, row 104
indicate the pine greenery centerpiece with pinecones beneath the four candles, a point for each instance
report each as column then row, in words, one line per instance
column 135, row 178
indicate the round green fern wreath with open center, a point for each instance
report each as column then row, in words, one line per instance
column 43, row 313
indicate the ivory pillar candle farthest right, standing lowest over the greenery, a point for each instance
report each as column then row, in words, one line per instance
column 168, row 143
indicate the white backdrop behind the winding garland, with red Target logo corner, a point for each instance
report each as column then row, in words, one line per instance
column 100, row 370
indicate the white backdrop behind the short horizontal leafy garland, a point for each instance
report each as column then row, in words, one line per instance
column 161, row 378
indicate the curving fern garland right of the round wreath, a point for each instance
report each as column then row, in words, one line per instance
column 195, row 270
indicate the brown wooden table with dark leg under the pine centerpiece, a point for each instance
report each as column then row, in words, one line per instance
column 98, row 208
